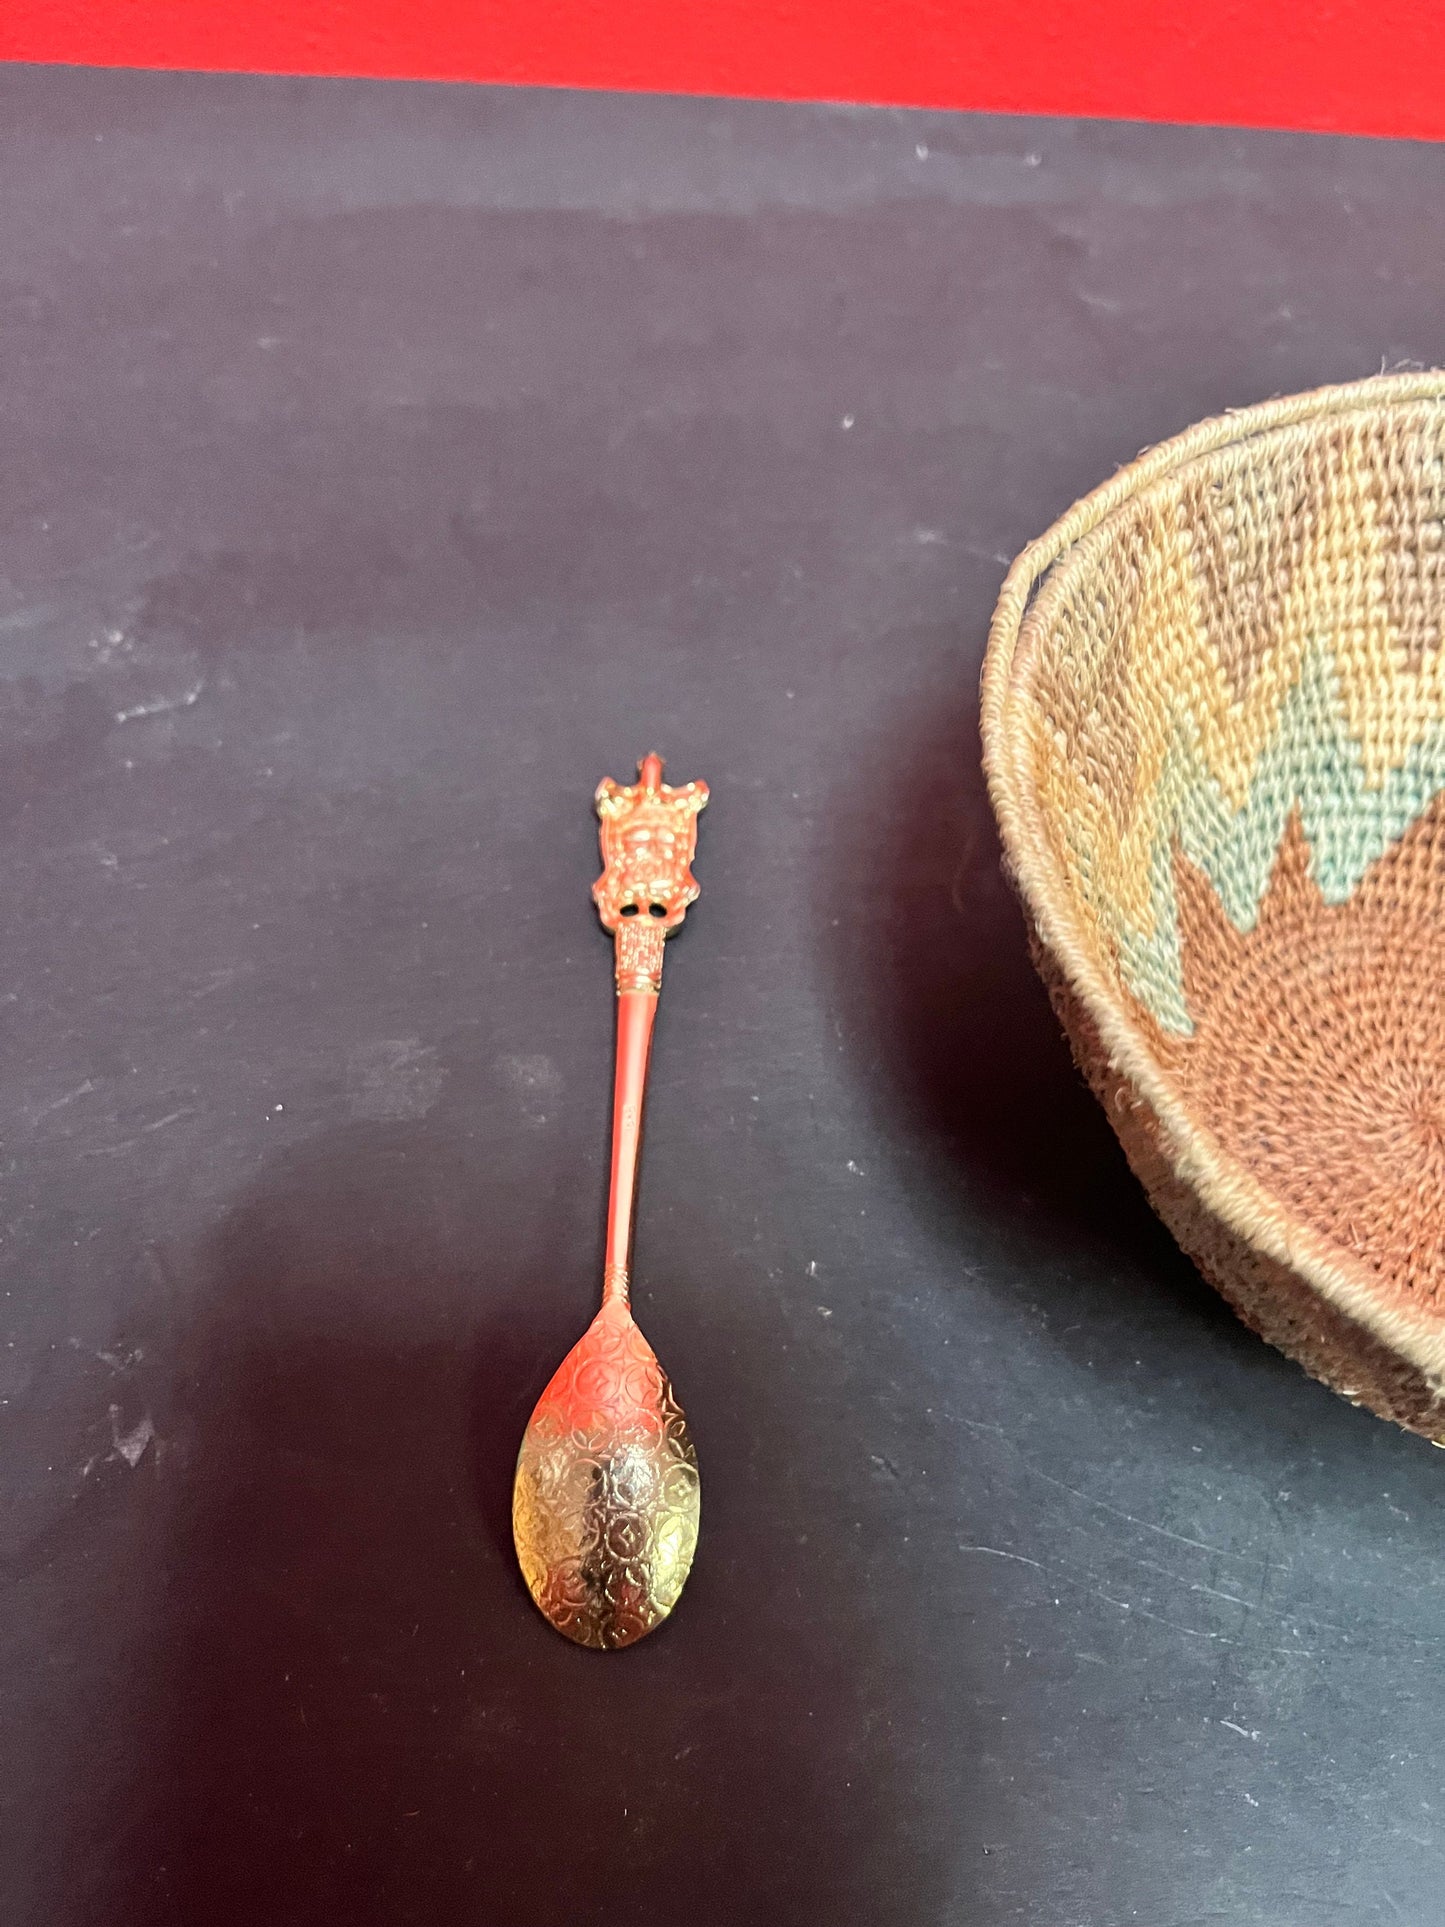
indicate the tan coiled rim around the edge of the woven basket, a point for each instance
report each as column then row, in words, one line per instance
column 1226, row 1186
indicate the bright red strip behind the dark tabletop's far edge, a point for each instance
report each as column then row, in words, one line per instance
column 1340, row 65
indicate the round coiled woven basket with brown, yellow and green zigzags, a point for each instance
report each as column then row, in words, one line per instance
column 1215, row 735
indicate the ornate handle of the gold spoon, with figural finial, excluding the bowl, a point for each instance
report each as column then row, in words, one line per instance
column 648, row 841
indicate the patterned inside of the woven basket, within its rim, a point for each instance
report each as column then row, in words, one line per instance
column 1236, row 712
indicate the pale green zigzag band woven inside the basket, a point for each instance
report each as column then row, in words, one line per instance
column 1315, row 764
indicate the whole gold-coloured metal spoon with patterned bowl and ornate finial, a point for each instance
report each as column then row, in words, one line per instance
column 606, row 1496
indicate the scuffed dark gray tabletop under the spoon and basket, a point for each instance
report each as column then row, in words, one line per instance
column 384, row 465
